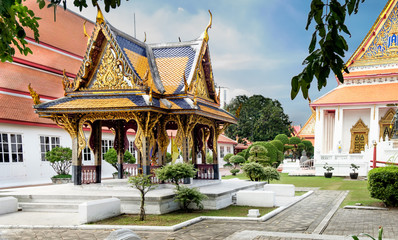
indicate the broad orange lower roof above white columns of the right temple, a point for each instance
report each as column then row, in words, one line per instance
column 360, row 94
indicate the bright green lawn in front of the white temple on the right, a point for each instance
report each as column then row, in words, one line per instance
column 358, row 188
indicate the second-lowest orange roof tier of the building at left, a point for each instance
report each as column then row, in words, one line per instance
column 17, row 78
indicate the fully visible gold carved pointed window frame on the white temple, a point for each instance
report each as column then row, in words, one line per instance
column 359, row 137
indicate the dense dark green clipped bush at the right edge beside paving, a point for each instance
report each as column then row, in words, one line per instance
column 383, row 184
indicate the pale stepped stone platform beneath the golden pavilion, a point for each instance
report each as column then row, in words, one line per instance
column 66, row 197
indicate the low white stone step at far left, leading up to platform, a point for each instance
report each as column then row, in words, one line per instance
column 49, row 207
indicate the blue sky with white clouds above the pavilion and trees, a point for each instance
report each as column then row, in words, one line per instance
column 256, row 46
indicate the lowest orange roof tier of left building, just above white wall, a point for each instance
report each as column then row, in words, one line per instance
column 19, row 109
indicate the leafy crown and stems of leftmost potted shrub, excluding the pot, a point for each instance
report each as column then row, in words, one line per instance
column 60, row 159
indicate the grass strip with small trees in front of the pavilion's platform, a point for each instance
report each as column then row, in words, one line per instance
column 173, row 218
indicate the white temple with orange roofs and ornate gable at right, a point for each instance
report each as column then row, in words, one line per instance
column 358, row 114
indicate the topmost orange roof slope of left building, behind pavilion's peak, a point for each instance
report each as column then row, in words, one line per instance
column 65, row 33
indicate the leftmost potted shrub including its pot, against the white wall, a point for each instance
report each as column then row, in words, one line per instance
column 60, row 160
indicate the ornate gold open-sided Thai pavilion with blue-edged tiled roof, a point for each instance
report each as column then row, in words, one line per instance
column 124, row 84
